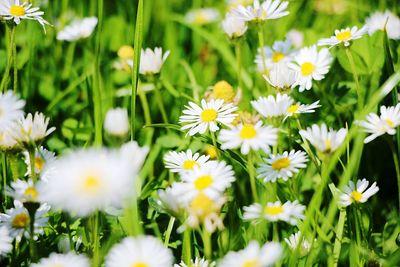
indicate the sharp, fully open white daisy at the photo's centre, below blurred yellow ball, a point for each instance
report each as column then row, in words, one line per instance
column 208, row 116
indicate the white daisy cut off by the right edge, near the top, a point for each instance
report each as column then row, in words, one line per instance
column 380, row 21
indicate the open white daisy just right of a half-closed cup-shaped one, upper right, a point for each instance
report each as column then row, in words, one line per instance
column 311, row 64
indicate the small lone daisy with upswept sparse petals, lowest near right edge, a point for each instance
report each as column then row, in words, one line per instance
column 357, row 193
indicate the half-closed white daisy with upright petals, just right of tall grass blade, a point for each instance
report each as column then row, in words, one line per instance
column 151, row 61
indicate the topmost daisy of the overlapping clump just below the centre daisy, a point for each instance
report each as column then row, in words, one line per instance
column 183, row 161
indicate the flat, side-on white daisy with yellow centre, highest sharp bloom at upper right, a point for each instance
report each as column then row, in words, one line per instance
column 343, row 36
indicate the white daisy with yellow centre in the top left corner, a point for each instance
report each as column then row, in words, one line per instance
column 14, row 10
